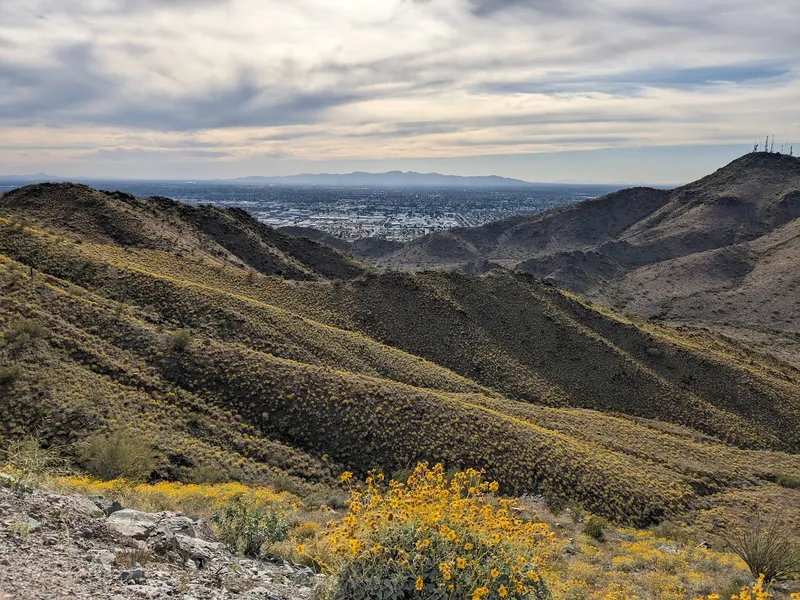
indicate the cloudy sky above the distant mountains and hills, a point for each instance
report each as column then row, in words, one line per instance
column 655, row 91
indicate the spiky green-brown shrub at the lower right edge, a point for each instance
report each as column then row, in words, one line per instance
column 766, row 549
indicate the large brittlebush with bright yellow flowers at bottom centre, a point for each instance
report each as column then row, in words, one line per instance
column 434, row 539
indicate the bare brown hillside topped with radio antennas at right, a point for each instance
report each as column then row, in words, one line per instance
column 730, row 240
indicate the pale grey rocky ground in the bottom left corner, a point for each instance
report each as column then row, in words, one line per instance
column 57, row 546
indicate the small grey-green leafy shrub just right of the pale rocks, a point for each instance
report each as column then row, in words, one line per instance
column 245, row 529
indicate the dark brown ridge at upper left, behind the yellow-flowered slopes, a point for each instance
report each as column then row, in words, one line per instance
column 231, row 235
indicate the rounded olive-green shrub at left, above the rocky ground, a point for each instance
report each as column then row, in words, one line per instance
column 125, row 455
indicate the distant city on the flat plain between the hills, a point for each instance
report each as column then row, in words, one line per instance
column 391, row 213
